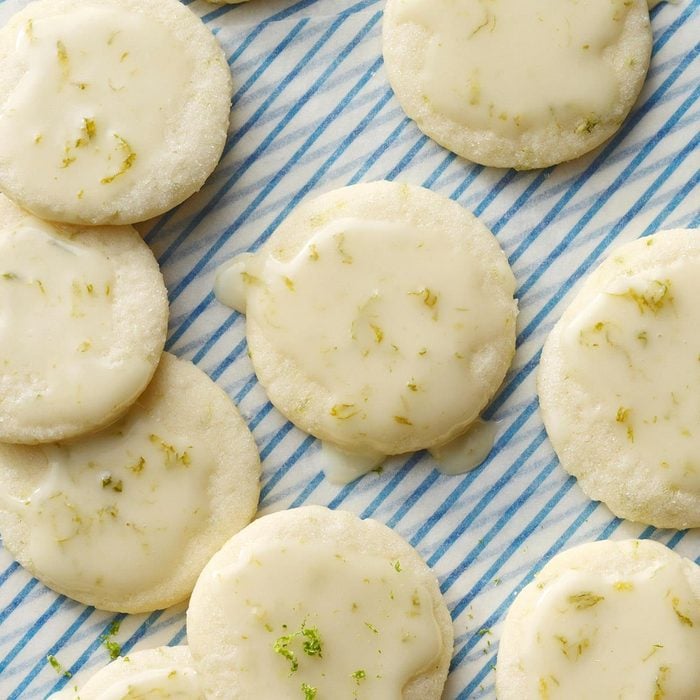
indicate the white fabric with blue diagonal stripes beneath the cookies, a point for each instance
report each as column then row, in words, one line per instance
column 313, row 111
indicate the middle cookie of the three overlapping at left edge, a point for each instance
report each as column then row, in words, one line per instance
column 83, row 320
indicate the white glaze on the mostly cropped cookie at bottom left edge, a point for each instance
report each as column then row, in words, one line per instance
column 156, row 684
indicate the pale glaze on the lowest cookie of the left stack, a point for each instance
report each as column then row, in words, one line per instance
column 113, row 509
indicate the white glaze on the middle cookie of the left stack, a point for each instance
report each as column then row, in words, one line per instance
column 56, row 329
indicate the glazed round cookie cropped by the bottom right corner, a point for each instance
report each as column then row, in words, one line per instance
column 604, row 620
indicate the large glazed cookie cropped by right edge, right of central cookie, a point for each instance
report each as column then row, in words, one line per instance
column 619, row 377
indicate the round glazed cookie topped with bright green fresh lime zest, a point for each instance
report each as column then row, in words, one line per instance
column 313, row 601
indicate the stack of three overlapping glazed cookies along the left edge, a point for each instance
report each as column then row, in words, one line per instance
column 111, row 450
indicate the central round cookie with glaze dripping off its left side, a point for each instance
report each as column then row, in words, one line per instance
column 380, row 317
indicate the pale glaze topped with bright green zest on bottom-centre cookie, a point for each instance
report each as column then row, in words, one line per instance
column 373, row 622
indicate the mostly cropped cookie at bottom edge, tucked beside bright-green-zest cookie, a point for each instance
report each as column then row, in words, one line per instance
column 163, row 672
